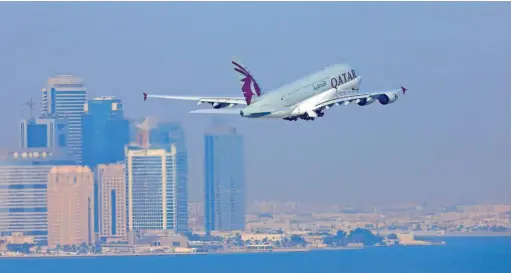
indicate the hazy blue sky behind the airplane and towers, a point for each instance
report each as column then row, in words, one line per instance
column 446, row 140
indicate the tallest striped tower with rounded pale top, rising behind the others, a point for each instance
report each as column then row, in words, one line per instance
column 64, row 97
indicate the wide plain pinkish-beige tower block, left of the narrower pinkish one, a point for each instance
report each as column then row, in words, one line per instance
column 70, row 206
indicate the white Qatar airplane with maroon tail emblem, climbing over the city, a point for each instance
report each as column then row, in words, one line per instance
column 306, row 98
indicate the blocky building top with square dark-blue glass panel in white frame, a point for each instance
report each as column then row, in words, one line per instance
column 43, row 133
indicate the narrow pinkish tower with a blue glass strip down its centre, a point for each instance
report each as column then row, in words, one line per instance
column 112, row 201
